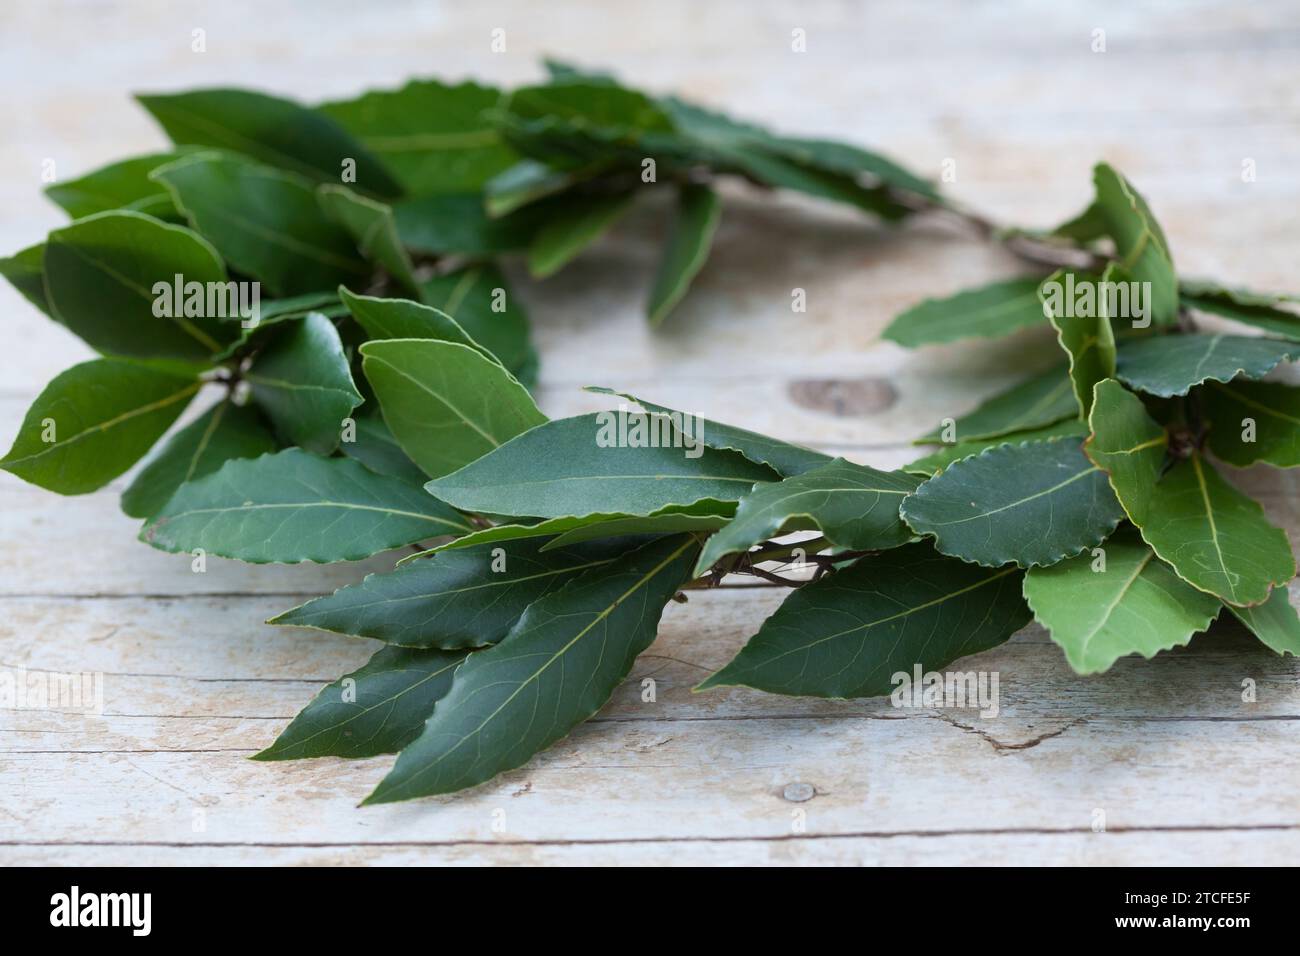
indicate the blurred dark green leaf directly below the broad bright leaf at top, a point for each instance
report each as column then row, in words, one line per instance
column 460, row 224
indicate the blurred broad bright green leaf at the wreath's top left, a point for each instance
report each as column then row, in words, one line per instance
column 432, row 136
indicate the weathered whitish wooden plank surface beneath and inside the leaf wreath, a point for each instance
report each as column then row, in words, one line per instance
column 1181, row 768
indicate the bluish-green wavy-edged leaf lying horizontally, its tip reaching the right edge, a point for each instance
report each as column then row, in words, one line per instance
column 1171, row 366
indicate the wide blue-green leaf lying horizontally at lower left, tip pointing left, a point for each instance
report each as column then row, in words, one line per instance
column 296, row 507
